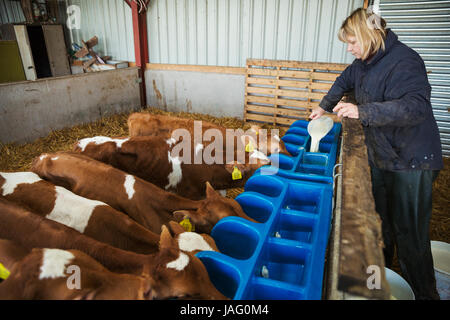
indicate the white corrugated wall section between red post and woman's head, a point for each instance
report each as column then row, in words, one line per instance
column 226, row 33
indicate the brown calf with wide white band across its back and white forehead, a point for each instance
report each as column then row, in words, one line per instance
column 90, row 217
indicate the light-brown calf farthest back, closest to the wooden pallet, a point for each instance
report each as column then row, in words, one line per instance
column 146, row 124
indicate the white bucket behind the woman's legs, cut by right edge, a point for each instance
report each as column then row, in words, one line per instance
column 441, row 260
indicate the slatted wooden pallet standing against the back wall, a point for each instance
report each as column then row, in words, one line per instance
column 280, row 92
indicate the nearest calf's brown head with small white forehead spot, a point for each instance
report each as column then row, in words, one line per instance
column 179, row 275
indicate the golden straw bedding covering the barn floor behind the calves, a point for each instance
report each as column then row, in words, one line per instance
column 16, row 157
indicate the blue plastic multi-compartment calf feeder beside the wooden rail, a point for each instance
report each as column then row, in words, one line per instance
column 282, row 254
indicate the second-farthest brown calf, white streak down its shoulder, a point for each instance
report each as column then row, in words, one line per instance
column 152, row 159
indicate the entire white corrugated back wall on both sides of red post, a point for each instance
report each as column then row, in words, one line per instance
column 214, row 32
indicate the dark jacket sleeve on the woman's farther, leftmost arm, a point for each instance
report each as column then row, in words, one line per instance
column 343, row 84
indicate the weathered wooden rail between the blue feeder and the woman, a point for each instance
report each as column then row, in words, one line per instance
column 361, row 243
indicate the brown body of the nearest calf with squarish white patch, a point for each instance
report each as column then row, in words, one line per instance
column 44, row 274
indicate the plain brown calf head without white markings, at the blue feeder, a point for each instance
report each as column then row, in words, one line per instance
column 213, row 208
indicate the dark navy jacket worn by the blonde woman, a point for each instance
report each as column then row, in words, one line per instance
column 393, row 96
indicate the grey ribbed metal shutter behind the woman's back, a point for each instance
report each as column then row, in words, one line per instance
column 425, row 27
